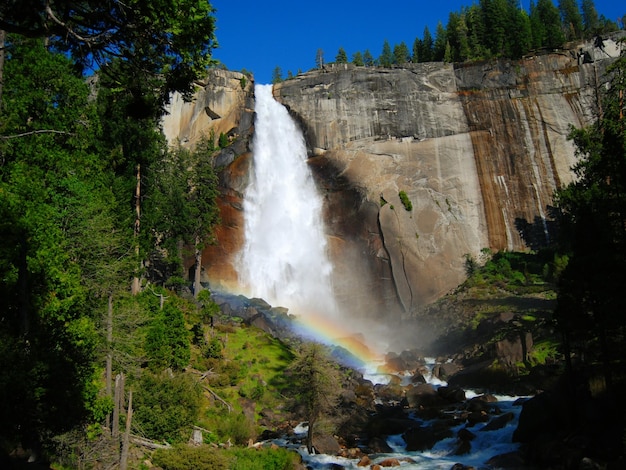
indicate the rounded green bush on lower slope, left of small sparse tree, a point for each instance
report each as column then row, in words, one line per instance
column 166, row 406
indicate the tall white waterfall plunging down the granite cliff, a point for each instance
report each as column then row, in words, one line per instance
column 284, row 259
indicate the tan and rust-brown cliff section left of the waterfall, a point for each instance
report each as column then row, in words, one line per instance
column 222, row 104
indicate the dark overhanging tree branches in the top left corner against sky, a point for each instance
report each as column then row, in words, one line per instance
column 167, row 44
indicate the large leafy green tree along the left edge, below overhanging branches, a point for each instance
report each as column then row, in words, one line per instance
column 53, row 187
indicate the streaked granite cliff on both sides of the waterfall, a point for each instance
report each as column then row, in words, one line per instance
column 477, row 148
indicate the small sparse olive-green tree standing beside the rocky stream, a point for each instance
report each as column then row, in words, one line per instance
column 317, row 386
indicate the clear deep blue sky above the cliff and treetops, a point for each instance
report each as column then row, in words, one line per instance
column 258, row 36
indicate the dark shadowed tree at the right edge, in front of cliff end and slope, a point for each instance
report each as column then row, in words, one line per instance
column 592, row 217
